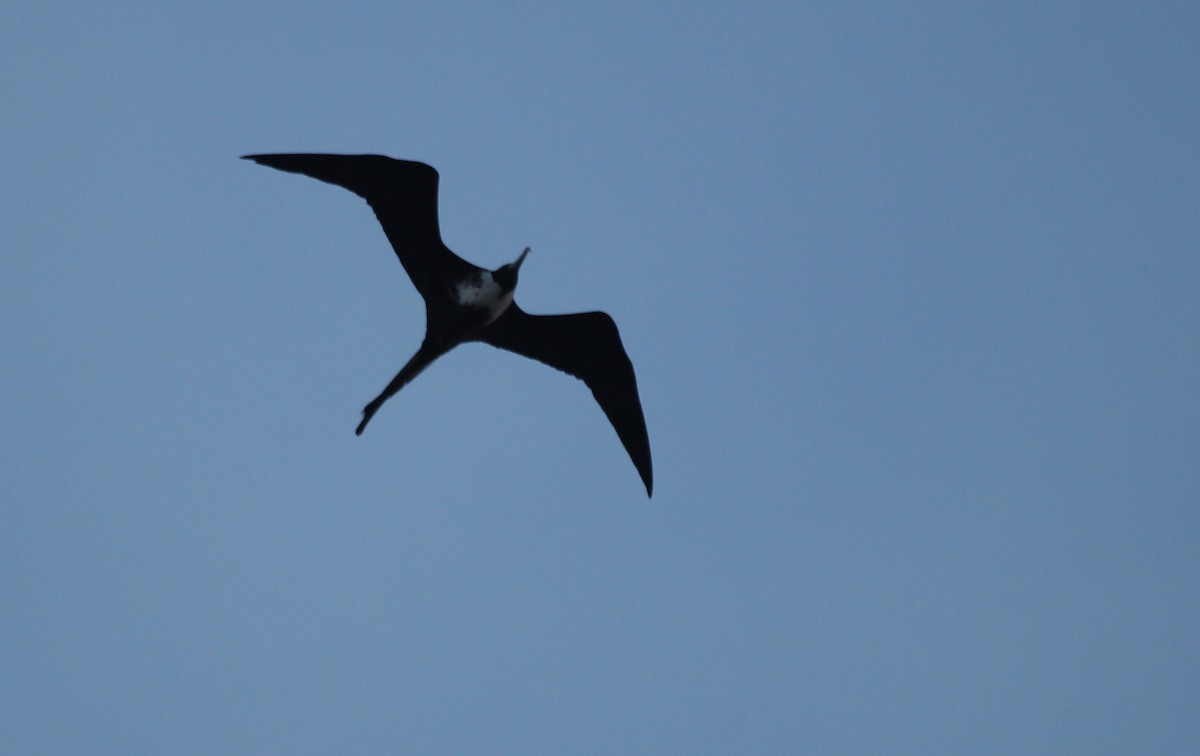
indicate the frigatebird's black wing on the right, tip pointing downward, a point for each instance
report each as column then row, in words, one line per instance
column 587, row 346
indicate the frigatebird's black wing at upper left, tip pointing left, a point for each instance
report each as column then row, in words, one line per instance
column 405, row 199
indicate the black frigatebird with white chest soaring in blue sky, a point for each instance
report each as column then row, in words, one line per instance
column 466, row 303
